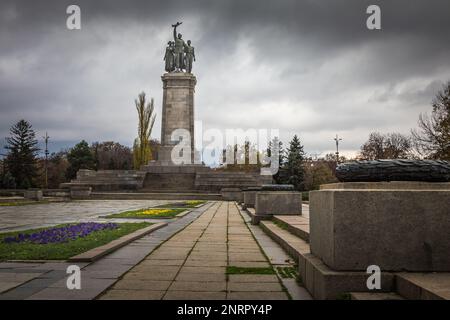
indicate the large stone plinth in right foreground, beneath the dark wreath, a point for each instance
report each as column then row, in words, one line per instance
column 354, row 225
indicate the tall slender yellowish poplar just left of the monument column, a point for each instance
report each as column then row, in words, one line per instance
column 142, row 153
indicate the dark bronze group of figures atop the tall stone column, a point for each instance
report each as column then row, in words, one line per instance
column 179, row 54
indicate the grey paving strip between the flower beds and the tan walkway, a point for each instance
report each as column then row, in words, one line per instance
column 97, row 276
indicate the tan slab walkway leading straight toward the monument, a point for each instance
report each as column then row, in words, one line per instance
column 192, row 264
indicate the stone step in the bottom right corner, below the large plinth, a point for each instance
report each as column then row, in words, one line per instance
column 423, row 286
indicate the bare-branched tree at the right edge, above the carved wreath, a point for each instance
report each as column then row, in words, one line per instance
column 432, row 140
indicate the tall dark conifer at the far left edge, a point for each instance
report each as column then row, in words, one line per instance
column 21, row 160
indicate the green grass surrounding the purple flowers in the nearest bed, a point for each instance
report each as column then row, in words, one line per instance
column 64, row 250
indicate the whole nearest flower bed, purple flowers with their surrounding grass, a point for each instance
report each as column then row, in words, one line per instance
column 63, row 241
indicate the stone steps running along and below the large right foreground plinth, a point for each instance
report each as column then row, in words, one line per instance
column 292, row 234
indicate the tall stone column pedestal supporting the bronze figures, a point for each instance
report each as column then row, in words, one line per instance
column 177, row 114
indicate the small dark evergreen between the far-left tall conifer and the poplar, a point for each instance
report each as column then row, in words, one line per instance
column 80, row 157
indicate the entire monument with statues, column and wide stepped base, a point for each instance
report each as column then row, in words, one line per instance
column 178, row 168
